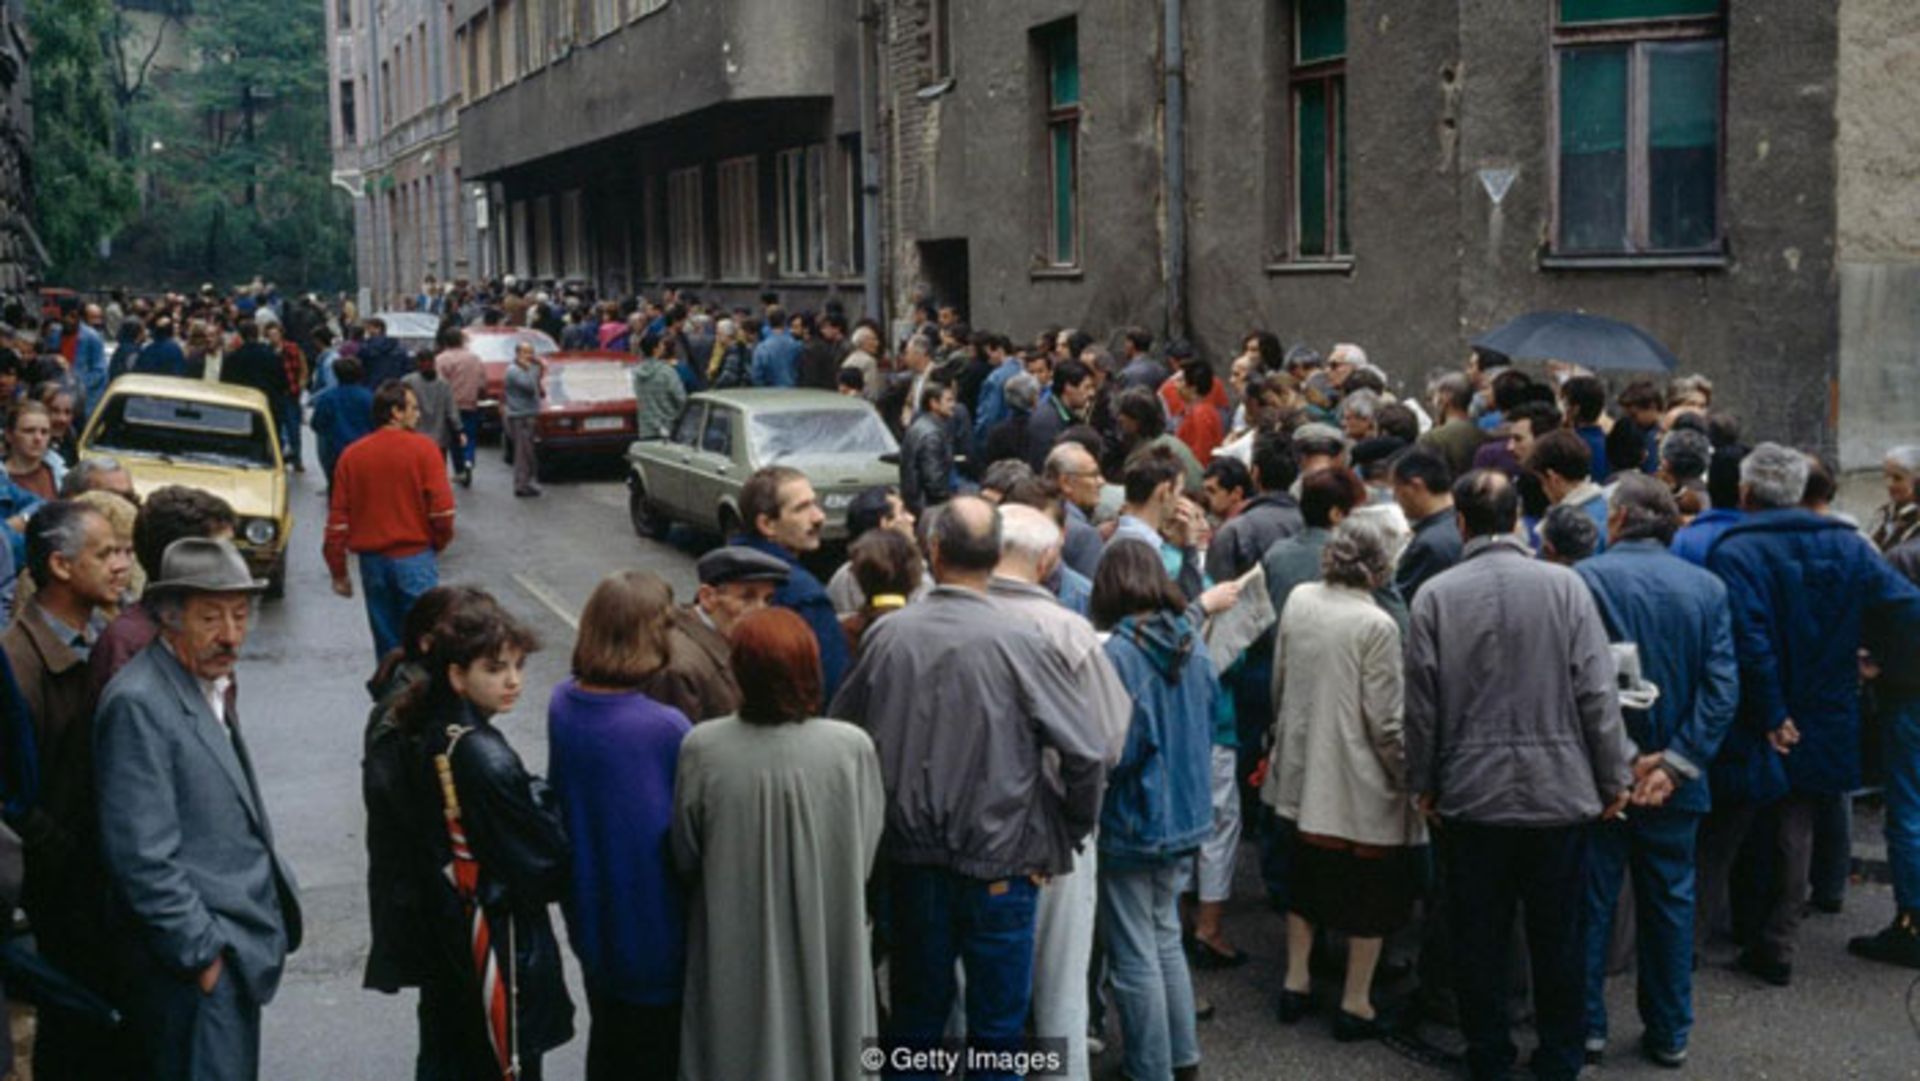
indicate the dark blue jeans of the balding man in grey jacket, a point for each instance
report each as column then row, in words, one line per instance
column 988, row 926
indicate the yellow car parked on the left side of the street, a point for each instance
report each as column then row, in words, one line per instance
column 203, row 435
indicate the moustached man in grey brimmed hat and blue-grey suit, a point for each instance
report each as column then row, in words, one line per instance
column 183, row 829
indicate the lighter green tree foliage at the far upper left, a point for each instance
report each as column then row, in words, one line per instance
column 82, row 191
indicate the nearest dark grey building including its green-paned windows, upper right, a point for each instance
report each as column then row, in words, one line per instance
column 1408, row 176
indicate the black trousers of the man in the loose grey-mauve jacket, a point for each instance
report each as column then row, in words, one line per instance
column 1491, row 871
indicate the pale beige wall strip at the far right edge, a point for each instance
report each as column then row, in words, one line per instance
column 1879, row 229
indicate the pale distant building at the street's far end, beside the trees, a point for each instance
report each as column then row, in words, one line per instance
column 395, row 103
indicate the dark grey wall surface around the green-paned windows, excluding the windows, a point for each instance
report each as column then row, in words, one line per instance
column 1437, row 93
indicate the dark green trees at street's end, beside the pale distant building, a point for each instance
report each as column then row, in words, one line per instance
column 237, row 155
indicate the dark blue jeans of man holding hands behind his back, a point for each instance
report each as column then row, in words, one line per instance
column 1658, row 850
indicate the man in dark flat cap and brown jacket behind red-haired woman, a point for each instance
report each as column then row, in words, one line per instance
column 698, row 677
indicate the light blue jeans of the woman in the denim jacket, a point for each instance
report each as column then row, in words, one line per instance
column 1153, row 990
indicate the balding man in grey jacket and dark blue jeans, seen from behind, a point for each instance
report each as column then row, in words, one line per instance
column 961, row 702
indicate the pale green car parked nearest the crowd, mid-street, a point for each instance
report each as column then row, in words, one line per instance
column 727, row 435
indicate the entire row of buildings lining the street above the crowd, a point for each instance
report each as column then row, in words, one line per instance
column 1403, row 176
